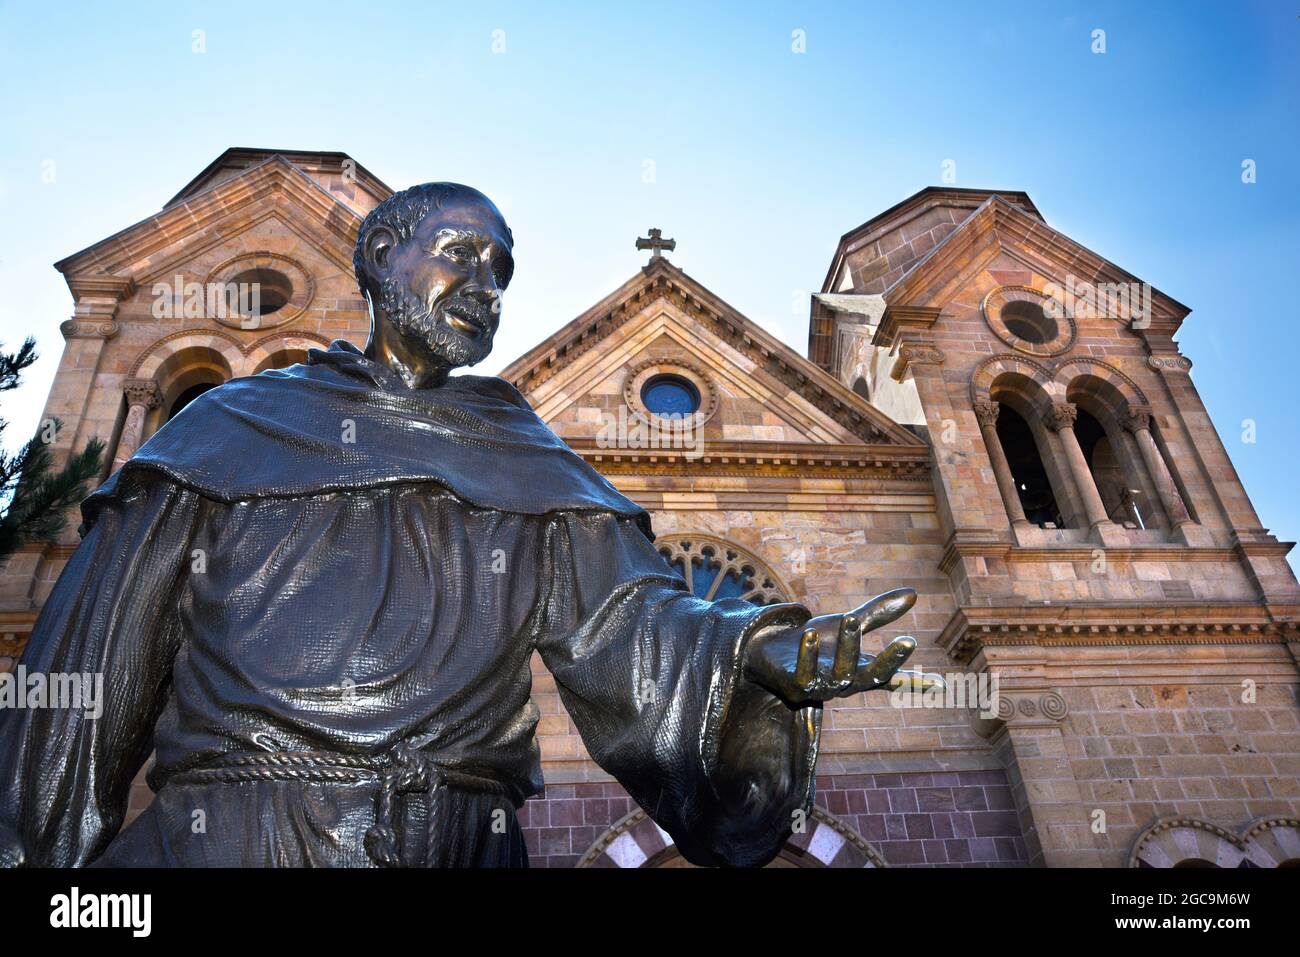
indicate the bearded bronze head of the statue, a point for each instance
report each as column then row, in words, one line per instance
column 434, row 263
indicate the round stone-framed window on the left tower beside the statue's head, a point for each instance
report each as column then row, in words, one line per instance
column 259, row 291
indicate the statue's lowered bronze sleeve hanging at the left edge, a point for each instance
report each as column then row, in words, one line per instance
column 112, row 617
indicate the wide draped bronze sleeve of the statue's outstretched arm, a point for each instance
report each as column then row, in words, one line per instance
column 652, row 677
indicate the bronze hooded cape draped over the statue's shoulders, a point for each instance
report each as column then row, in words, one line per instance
column 343, row 422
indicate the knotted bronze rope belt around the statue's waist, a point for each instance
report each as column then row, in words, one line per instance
column 401, row 772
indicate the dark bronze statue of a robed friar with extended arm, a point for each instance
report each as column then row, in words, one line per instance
column 315, row 595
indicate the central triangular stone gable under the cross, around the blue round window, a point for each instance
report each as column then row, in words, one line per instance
column 766, row 392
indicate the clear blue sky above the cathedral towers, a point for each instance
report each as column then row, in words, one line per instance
column 762, row 157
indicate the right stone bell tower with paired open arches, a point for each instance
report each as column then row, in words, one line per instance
column 1104, row 558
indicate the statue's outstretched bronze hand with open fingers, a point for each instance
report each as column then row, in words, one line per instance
column 824, row 660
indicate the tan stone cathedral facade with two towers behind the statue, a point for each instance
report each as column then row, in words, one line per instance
column 989, row 413
